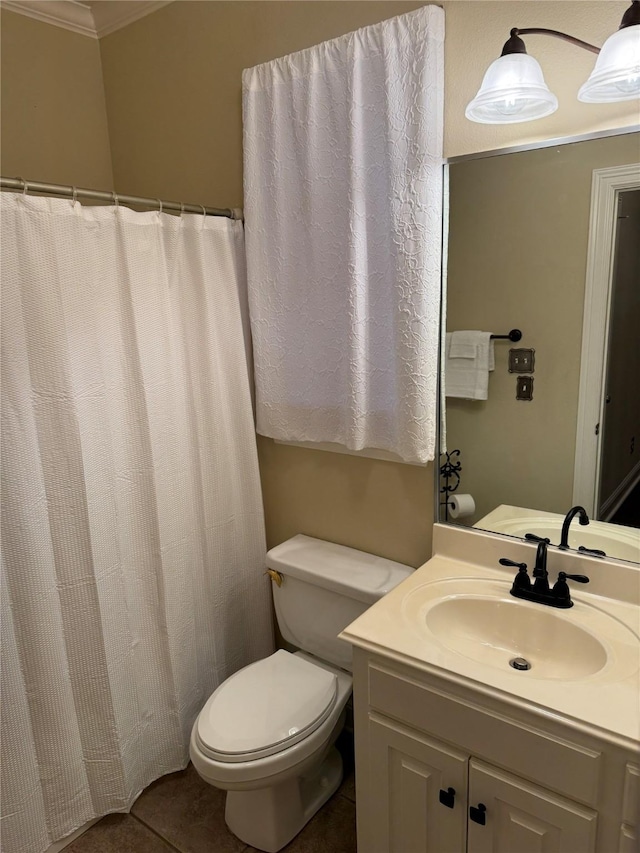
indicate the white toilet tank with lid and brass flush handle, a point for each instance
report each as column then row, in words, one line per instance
column 325, row 587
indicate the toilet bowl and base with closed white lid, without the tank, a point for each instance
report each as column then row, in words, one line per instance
column 266, row 736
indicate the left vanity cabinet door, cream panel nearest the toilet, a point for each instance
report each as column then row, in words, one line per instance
column 408, row 771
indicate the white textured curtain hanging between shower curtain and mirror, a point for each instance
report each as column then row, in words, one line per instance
column 343, row 211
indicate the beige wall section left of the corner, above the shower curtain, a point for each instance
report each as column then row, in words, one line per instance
column 54, row 121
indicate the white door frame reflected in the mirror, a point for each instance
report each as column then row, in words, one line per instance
column 605, row 186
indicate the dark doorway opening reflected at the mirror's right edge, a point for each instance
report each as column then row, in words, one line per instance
column 620, row 427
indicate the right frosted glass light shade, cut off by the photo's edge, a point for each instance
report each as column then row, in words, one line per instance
column 616, row 76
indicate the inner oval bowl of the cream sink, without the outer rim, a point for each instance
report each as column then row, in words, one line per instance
column 496, row 631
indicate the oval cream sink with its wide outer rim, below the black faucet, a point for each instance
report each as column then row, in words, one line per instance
column 481, row 621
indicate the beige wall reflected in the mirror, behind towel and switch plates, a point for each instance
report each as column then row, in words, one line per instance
column 519, row 227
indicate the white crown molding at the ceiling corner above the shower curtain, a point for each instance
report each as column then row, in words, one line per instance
column 89, row 19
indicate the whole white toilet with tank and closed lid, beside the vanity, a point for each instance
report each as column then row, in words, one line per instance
column 267, row 734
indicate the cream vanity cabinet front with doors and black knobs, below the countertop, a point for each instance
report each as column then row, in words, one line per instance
column 431, row 754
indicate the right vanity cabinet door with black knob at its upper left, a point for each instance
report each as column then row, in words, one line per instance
column 525, row 818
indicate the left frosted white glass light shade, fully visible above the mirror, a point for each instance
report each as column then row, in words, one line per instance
column 513, row 90
